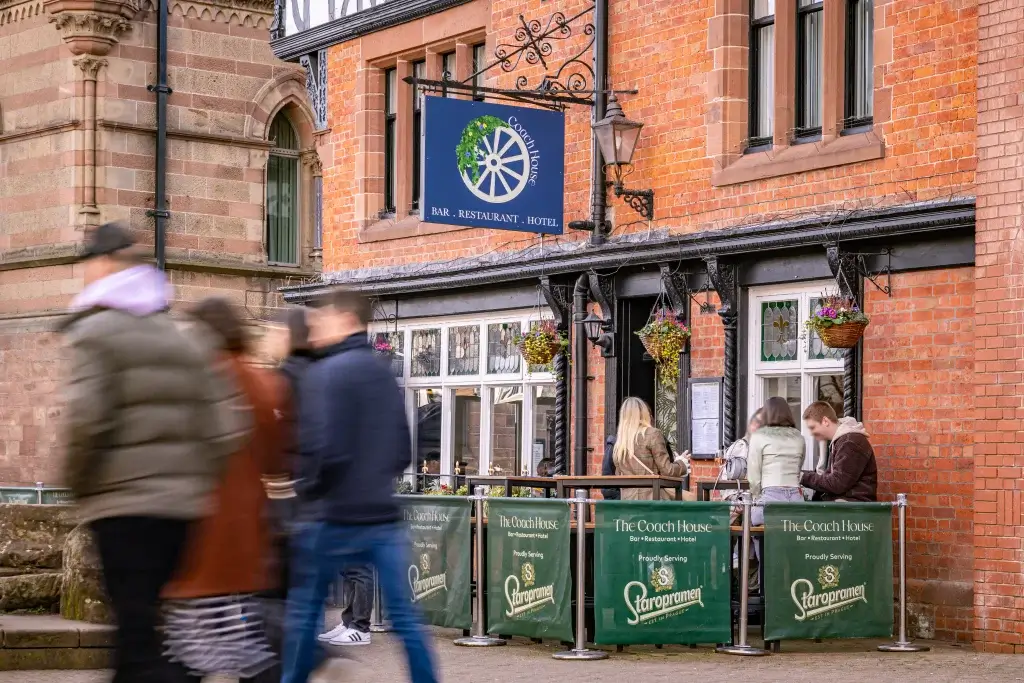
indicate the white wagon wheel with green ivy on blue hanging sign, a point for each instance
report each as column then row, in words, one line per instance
column 493, row 160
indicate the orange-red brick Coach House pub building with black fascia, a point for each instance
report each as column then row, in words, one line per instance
column 794, row 147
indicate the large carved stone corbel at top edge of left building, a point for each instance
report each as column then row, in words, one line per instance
column 92, row 27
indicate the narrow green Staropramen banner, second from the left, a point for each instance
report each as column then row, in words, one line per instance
column 530, row 587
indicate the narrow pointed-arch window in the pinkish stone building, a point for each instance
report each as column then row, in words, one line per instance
column 283, row 192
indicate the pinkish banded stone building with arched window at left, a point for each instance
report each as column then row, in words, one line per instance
column 78, row 131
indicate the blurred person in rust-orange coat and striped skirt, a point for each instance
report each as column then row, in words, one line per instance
column 228, row 560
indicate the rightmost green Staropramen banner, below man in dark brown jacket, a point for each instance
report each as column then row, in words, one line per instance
column 829, row 571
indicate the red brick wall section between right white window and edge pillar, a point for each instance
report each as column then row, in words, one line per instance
column 919, row 407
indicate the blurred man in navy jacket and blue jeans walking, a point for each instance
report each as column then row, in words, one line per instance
column 355, row 442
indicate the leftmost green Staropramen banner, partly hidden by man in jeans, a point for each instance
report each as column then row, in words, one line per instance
column 440, row 577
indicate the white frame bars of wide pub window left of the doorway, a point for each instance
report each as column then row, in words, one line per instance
column 486, row 382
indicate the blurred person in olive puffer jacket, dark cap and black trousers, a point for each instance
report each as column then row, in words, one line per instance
column 150, row 421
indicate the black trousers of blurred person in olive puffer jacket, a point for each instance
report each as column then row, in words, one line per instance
column 140, row 557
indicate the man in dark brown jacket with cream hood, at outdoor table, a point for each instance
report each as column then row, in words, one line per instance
column 851, row 474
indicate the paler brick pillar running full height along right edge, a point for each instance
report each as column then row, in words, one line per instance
column 999, row 447
